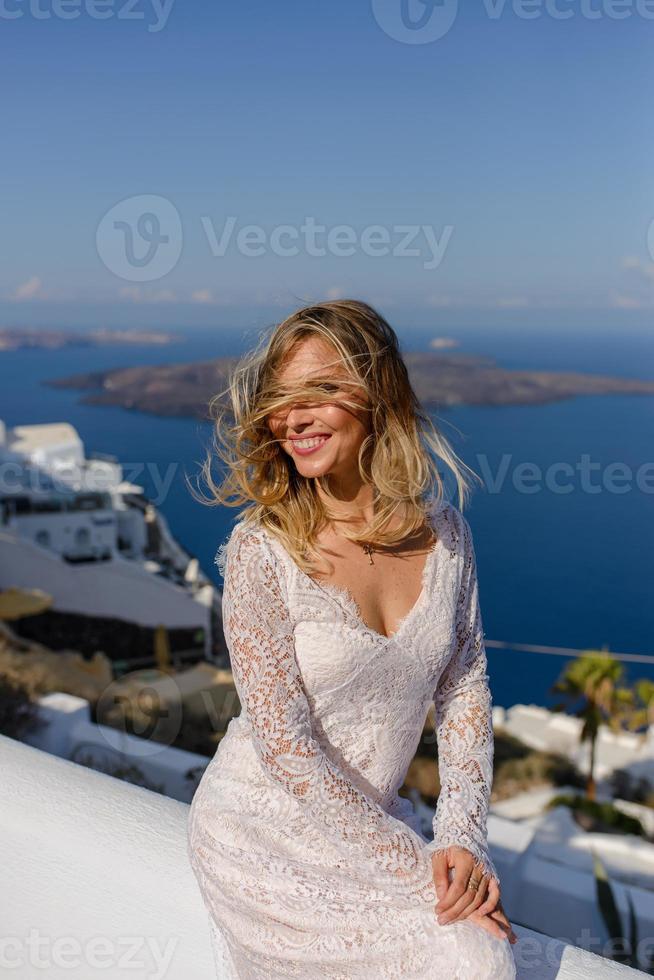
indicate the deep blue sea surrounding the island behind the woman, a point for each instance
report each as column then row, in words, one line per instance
column 563, row 530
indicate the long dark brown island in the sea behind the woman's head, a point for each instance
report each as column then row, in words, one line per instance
column 438, row 379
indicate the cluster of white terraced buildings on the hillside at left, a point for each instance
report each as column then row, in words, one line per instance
column 74, row 528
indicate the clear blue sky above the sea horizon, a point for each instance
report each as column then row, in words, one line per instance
column 511, row 158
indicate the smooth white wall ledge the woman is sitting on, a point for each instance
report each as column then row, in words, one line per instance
column 96, row 883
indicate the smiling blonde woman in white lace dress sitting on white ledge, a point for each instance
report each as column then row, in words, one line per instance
column 350, row 603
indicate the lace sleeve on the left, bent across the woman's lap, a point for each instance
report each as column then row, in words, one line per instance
column 259, row 636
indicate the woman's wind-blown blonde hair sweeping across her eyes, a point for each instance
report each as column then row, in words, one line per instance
column 398, row 458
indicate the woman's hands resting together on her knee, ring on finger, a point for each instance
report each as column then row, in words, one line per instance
column 457, row 901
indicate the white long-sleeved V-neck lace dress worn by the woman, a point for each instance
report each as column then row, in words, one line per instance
column 310, row 864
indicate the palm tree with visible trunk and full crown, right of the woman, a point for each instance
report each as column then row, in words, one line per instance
column 594, row 679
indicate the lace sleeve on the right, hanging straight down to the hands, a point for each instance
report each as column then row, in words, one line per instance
column 464, row 729
